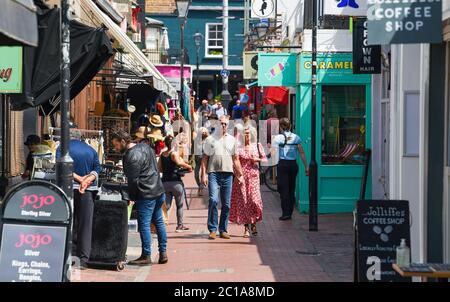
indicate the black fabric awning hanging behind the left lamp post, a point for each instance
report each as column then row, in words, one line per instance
column 90, row 48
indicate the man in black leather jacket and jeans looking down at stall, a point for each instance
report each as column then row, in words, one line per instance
column 146, row 189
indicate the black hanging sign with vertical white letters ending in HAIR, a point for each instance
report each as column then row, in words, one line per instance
column 366, row 58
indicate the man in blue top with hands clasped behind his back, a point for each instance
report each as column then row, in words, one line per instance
column 86, row 168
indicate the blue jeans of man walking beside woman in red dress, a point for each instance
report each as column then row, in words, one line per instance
column 219, row 182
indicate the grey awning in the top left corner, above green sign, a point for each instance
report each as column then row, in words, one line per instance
column 18, row 23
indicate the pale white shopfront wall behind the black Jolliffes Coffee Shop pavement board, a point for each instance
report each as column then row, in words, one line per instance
column 408, row 174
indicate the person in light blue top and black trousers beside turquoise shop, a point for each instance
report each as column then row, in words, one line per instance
column 289, row 148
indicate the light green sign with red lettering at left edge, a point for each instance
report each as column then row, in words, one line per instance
column 10, row 69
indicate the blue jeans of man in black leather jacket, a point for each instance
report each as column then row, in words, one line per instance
column 150, row 210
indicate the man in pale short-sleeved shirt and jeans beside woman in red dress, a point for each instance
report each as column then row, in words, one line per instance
column 218, row 164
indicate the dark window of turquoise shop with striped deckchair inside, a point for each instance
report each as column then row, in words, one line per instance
column 343, row 124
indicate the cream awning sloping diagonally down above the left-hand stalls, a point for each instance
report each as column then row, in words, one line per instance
column 159, row 81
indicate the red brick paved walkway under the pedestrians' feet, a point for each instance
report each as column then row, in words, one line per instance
column 283, row 251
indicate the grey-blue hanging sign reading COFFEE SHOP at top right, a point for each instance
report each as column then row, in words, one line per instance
column 406, row 21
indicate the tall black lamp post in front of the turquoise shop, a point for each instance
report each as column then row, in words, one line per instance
column 313, row 202
